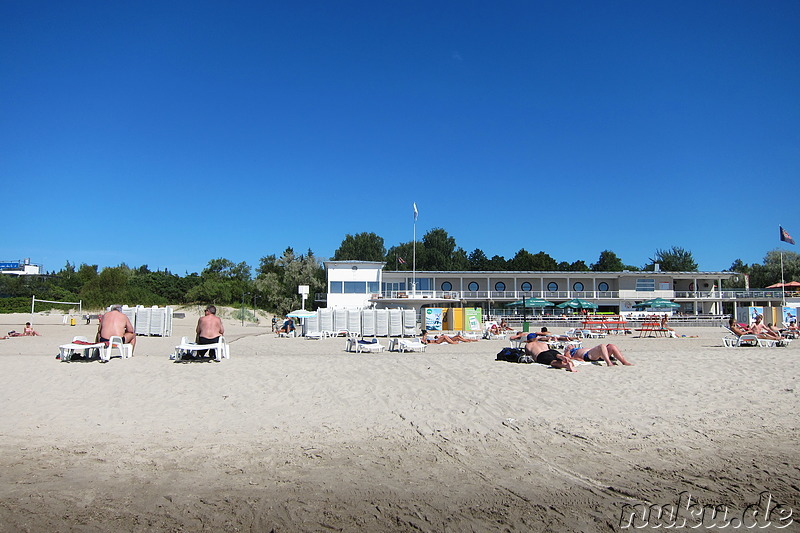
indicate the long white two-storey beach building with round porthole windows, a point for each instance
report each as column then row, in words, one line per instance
column 364, row 284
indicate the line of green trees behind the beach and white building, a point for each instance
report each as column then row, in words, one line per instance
column 273, row 285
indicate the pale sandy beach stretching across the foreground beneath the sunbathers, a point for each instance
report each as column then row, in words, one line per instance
column 299, row 435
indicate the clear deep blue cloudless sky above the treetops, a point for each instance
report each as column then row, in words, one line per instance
column 172, row 133
